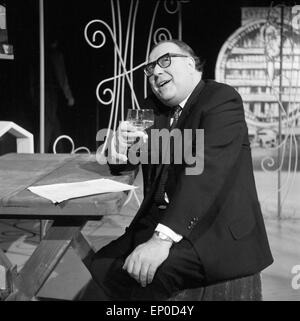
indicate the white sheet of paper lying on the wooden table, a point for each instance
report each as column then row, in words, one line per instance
column 60, row 192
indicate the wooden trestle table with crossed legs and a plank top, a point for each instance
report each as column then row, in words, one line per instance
column 19, row 171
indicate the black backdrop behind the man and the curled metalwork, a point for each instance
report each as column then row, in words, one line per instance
column 206, row 26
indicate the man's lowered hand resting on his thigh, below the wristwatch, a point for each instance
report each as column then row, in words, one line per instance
column 143, row 262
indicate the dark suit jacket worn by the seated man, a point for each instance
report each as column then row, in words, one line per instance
column 218, row 210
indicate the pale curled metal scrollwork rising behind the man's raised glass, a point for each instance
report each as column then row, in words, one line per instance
column 115, row 96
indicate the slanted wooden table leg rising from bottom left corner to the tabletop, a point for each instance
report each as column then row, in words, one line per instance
column 45, row 258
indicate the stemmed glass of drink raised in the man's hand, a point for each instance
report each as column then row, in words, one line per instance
column 141, row 119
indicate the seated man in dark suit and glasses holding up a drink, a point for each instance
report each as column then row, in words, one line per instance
column 191, row 230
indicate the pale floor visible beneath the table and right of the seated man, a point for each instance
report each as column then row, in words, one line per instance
column 19, row 239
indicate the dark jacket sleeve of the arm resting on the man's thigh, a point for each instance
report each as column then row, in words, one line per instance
column 224, row 130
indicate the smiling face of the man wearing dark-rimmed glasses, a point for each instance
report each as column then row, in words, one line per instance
column 173, row 84
